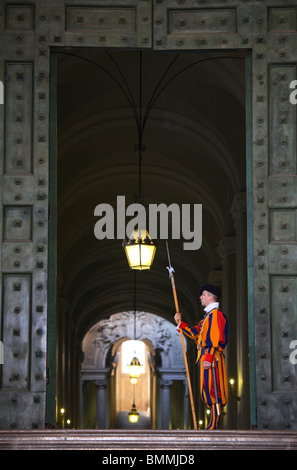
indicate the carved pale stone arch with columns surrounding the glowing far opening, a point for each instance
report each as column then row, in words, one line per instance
column 100, row 346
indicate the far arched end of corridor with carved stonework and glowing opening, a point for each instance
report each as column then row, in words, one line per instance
column 107, row 394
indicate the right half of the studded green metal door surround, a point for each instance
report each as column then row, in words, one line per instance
column 269, row 34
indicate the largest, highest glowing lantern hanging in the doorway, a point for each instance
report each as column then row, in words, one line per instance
column 140, row 250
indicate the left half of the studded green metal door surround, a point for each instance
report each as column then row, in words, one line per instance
column 28, row 31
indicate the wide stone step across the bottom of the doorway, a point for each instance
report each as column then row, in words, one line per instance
column 150, row 440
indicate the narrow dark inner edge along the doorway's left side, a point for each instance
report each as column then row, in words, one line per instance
column 50, row 413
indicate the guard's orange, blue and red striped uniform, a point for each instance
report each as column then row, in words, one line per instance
column 211, row 337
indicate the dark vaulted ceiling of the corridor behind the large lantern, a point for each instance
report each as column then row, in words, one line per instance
column 194, row 153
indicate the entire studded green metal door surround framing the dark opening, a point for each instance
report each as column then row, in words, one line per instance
column 28, row 31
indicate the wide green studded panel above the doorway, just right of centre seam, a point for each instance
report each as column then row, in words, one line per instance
column 203, row 25
